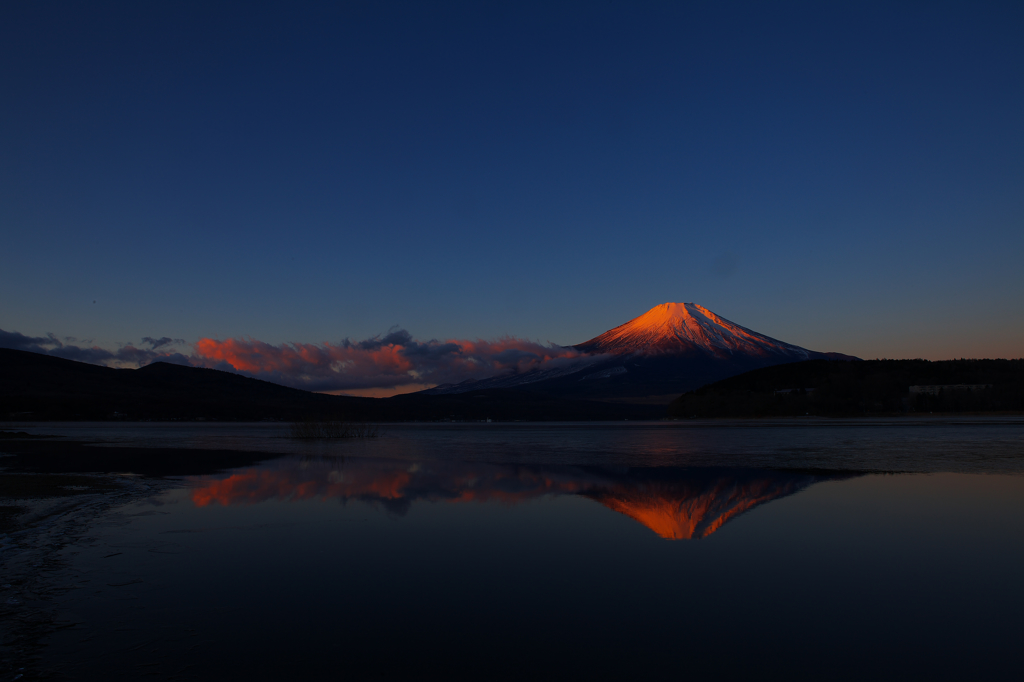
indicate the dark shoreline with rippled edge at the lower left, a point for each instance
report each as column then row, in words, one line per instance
column 54, row 491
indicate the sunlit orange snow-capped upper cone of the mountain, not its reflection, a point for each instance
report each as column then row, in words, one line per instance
column 673, row 328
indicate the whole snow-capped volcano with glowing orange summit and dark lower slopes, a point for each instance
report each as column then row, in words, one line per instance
column 654, row 359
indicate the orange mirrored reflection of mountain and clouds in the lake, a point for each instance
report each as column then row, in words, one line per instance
column 675, row 503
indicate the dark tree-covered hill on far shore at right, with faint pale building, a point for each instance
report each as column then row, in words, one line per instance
column 850, row 390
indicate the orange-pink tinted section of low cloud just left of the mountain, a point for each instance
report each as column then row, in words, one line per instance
column 396, row 360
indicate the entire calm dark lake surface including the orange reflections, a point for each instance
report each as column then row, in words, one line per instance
column 798, row 550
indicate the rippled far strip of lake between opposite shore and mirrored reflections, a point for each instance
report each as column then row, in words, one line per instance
column 969, row 445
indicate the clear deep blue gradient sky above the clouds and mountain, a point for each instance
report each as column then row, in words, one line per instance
column 843, row 177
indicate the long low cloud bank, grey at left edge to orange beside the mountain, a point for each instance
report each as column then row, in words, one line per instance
column 382, row 362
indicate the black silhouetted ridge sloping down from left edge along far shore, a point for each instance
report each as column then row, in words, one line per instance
column 39, row 388
